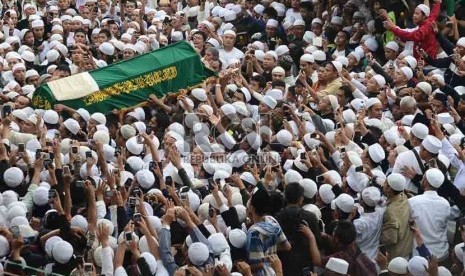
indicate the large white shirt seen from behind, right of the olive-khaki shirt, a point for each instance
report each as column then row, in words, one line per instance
column 430, row 212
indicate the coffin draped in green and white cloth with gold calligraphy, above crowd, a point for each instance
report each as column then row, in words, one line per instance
column 126, row 83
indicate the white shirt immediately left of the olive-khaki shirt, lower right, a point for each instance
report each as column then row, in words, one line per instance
column 368, row 228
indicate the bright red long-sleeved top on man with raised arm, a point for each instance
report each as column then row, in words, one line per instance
column 423, row 37
